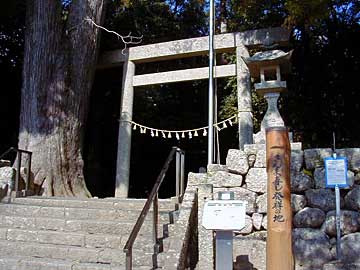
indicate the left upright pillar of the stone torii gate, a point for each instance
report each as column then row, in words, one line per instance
column 124, row 138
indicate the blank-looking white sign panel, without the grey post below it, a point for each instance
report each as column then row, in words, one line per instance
column 226, row 215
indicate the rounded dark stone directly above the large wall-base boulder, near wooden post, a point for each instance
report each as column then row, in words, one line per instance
column 309, row 218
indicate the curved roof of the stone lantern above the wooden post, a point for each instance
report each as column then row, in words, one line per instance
column 267, row 59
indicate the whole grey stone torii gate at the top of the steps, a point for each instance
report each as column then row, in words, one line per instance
column 239, row 42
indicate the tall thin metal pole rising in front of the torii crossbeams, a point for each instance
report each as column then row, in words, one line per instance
column 211, row 85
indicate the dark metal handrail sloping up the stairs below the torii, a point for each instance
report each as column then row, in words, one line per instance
column 153, row 198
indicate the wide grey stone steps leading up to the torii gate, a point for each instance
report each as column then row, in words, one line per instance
column 38, row 233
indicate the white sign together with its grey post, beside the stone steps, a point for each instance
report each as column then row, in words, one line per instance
column 224, row 216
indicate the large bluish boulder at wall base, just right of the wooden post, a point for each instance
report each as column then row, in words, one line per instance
column 311, row 248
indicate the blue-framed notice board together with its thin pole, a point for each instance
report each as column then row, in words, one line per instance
column 336, row 177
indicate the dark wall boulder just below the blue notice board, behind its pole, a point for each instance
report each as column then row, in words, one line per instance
column 322, row 198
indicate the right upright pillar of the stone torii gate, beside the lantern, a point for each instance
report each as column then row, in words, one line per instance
column 244, row 98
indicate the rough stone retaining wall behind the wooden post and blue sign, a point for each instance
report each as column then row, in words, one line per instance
column 314, row 234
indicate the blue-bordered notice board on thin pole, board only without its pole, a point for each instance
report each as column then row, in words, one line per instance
column 336, row 172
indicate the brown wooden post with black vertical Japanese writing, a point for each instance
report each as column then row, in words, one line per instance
column 279, row 215
